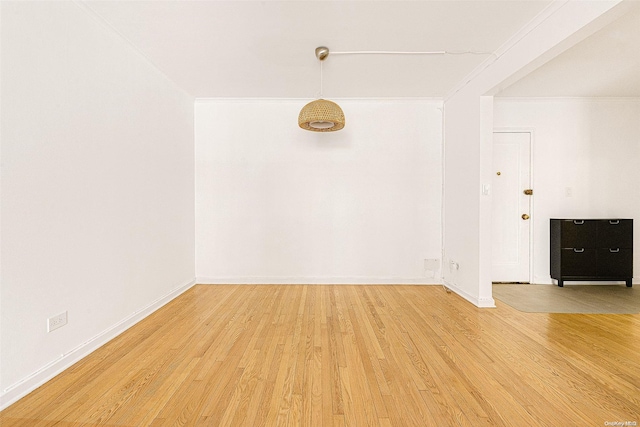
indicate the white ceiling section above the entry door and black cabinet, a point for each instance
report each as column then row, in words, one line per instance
column 606, row 64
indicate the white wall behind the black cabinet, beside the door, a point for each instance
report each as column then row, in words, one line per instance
column 589, row 146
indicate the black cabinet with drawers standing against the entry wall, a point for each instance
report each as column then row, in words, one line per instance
column 592, row 249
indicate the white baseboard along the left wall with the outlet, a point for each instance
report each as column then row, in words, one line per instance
column 25, row 386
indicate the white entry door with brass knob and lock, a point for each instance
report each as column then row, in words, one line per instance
column 511, row 207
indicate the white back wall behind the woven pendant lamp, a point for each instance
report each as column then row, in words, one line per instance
column 277, row 204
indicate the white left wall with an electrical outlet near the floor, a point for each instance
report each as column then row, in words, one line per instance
column 97, row 188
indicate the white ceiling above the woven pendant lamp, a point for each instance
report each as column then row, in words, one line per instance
column 266, row 48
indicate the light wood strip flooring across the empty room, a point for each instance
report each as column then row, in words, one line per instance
column 348, row 355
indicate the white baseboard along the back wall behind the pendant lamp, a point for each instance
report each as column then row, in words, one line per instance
column 319, row 280
